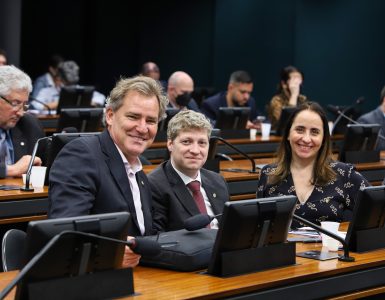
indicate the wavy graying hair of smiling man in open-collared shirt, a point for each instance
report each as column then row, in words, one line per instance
column 145, row 86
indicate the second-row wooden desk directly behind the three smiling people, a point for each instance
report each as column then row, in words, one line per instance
column 18, row 206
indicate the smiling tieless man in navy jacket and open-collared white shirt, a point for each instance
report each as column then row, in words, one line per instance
column 103, row 173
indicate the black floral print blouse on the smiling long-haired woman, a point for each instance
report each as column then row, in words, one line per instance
column 331, row 202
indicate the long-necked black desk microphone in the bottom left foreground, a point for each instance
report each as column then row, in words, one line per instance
column 138, row 245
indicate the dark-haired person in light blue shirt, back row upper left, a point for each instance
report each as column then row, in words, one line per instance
column 49, row 79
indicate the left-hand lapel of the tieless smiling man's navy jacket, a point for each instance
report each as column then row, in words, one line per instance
column 118, row 172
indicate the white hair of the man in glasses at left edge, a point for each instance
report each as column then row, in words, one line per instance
column 12, row 78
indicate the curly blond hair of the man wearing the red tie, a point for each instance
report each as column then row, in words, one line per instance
column 187, row 119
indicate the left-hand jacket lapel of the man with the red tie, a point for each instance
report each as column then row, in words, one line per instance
column 180, row 190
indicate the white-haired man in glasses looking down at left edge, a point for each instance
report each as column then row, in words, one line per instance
column 19, row 131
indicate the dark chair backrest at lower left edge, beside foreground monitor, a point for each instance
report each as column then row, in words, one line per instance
column 12, row 249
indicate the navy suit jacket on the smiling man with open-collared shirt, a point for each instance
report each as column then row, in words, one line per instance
column 88, row 177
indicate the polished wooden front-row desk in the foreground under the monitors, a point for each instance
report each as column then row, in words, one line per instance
column 308, row 279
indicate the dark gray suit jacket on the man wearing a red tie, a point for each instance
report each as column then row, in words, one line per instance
column 173, row 203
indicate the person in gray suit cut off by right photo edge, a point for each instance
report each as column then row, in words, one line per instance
column 377, row 116
